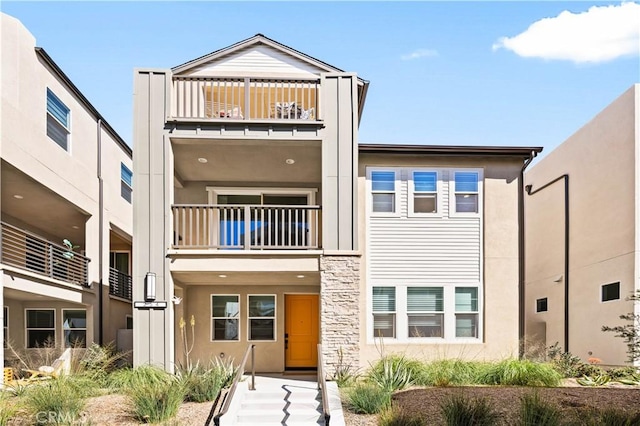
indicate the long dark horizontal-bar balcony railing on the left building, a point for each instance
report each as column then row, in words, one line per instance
column 31, row 252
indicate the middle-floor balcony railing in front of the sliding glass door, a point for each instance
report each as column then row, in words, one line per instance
column 246, row 227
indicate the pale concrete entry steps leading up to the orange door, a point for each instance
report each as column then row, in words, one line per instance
column 291, row 400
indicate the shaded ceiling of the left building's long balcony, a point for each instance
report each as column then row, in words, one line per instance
column 40, row 207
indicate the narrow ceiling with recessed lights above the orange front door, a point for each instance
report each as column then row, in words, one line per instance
column 247, row 278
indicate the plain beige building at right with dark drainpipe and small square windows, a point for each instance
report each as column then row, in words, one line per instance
column 582, row 235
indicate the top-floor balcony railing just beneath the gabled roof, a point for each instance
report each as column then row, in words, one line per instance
column 244, row 98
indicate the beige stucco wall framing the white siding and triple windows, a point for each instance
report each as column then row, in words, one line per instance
column 500, row 260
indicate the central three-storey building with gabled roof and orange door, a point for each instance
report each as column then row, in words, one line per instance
column 257, row 214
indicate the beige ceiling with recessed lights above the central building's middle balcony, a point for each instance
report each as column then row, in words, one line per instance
column 247, row 161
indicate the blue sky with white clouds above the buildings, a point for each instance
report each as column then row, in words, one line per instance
column 457, row 73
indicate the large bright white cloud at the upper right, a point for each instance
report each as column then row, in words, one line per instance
column 600, row 34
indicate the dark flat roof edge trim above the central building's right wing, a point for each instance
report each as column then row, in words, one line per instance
column 507, row 151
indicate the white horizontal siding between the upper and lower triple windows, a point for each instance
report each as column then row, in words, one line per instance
column 424, row 250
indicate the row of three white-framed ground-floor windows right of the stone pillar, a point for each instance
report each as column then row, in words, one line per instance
column 422, row 313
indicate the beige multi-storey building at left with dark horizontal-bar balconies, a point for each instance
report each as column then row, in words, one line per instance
column 66, row 176
